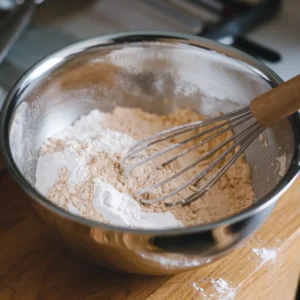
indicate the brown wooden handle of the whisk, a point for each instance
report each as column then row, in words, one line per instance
column 277, row 103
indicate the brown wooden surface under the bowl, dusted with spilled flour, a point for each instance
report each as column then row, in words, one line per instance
column 35, row 266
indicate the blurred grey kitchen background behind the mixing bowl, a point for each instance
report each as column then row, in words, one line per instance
column 31, row 29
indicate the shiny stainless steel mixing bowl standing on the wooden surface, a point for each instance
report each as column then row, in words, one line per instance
column 157, row 72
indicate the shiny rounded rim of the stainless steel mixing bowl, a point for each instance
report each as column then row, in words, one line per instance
column 259, row 68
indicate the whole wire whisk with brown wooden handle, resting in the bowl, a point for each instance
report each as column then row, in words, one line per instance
column 264, row 111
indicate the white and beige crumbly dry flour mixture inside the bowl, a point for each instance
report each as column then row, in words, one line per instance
column 79, row 170
